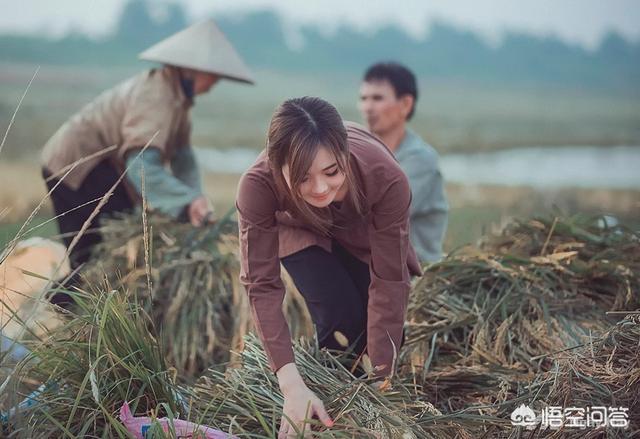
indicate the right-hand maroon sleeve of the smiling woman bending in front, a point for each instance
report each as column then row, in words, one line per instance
column 390, row 278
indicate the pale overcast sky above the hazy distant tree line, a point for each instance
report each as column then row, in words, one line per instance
column 578, row 21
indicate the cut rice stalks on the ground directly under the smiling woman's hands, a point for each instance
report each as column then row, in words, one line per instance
column 247, row 400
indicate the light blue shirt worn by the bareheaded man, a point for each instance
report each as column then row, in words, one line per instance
column 429, row 207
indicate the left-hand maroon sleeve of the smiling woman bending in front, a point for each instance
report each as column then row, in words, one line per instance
column 260, row 267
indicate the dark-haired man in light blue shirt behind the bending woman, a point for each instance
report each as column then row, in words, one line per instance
column 388, row 96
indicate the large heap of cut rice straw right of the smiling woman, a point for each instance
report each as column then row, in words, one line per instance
column 500, row 314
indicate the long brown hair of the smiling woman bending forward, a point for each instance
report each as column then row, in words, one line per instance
column 298, row 128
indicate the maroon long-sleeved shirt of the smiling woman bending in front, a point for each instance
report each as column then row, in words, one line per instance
column 379, row 237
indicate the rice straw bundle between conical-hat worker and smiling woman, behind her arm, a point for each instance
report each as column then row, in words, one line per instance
column 188, row 280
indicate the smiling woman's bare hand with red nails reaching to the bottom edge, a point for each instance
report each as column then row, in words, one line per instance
column 300, row 403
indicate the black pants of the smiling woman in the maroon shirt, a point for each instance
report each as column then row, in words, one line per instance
column 335, row 287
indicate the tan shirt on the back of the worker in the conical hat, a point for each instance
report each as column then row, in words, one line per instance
column 124, row 117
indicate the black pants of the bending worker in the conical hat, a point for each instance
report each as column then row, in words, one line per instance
column 71, row 217
